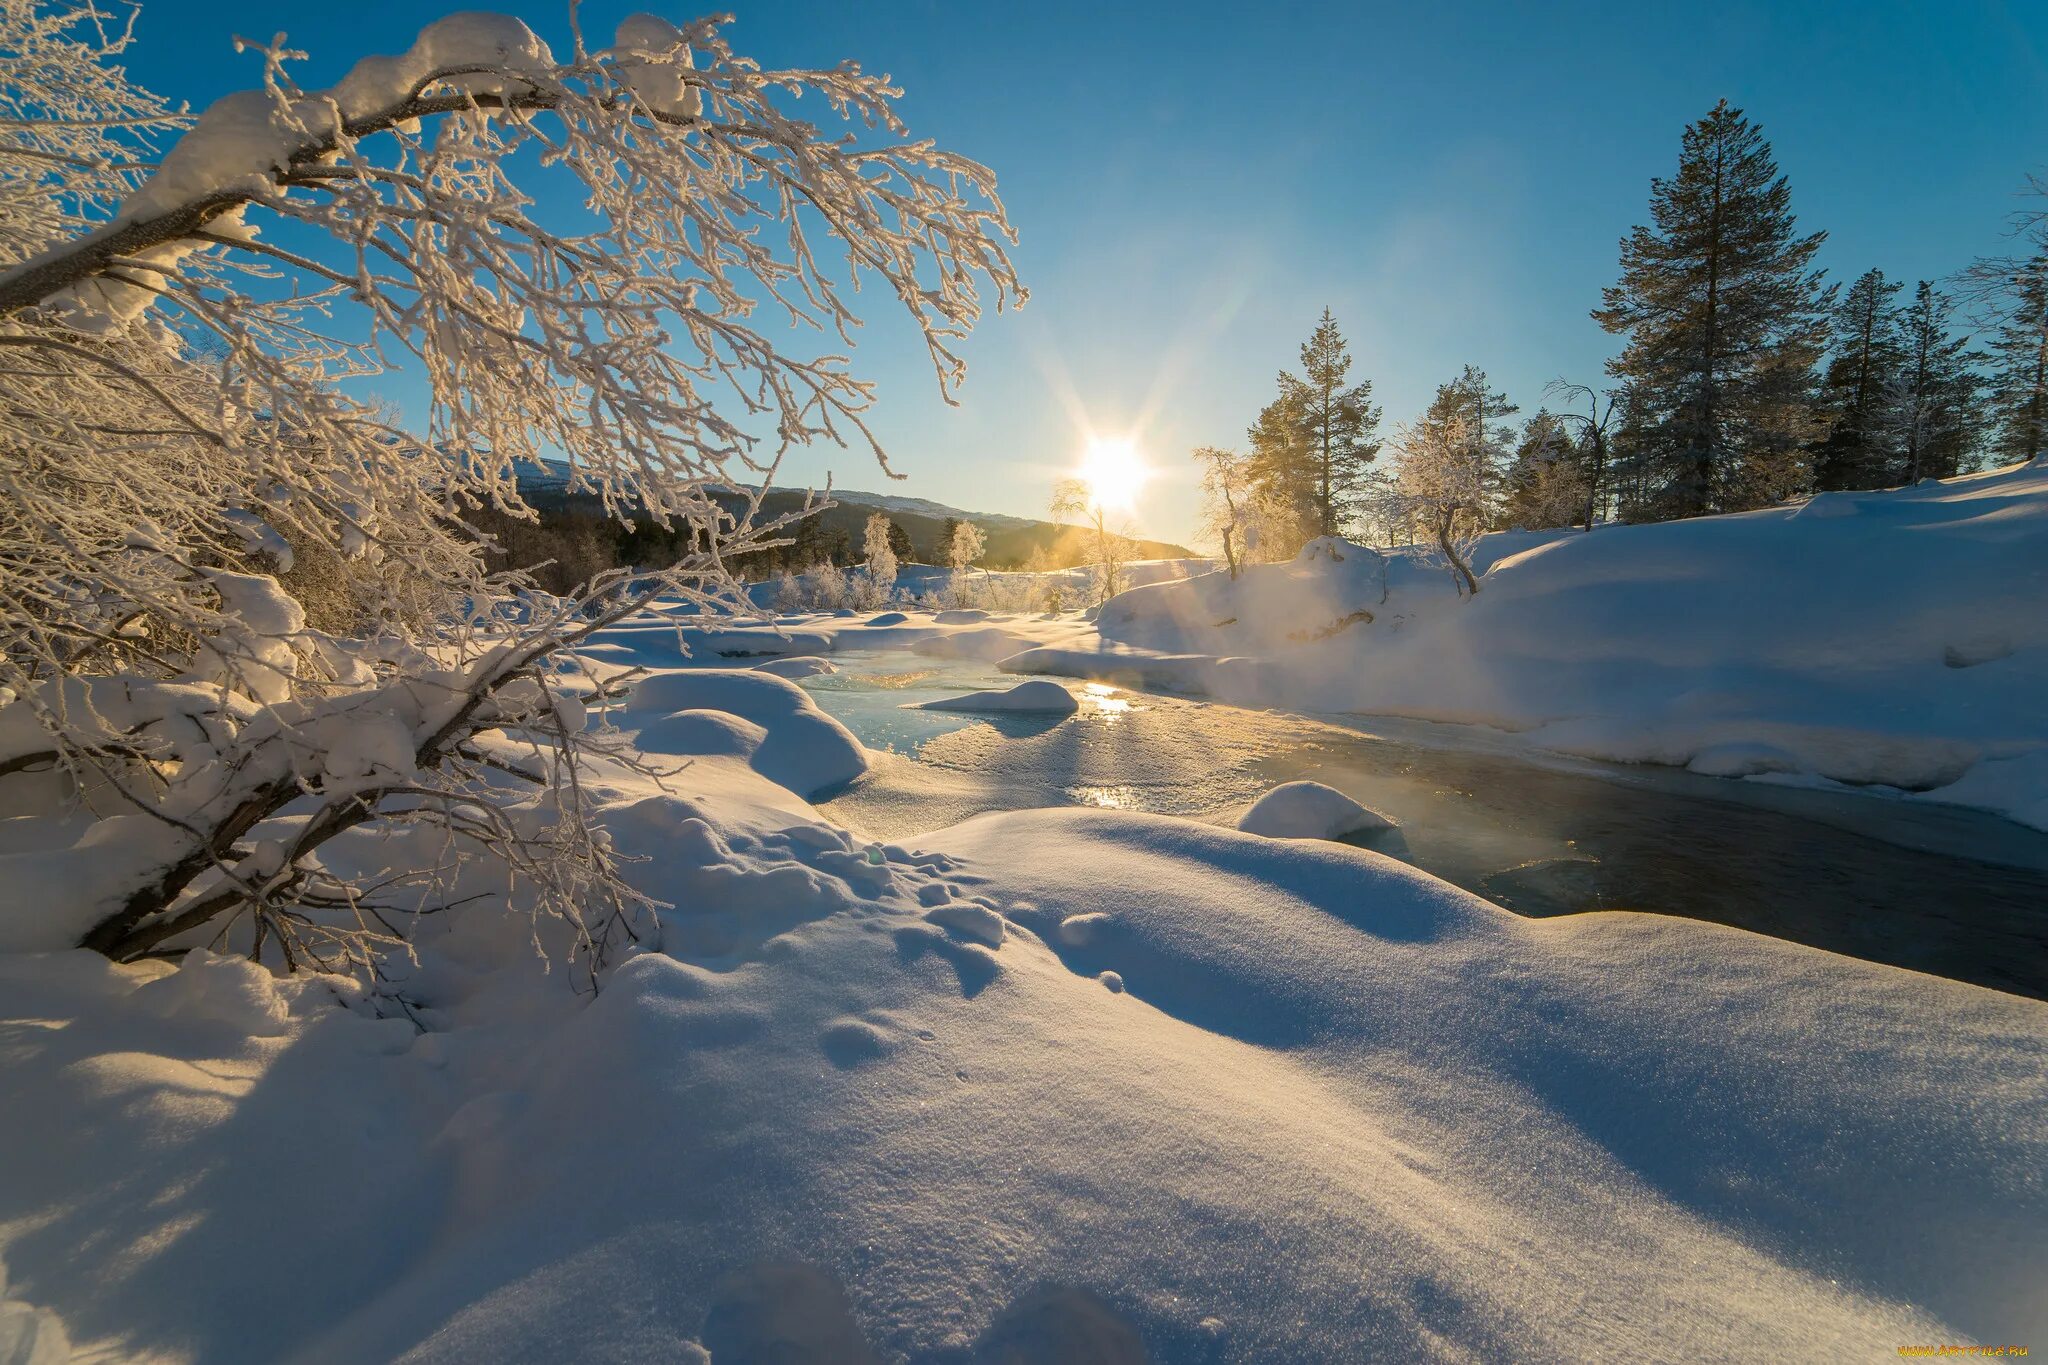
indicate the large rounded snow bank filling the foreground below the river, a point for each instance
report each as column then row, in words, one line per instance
column 1072, row 1080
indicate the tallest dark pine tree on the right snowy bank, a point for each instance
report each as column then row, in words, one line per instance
column 1725, row 322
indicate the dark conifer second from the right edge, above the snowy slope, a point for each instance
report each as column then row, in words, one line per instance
column 1930, row 419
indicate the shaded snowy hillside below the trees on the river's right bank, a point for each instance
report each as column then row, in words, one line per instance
column 1891, row 637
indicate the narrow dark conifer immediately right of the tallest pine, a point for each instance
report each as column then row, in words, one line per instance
column 1867, row 355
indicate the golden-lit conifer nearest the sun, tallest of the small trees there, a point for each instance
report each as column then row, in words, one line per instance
column 1338, row 429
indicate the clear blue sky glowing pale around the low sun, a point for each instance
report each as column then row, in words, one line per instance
column 1197, row 181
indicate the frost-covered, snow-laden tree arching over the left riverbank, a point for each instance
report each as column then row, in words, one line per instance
column 245, row 613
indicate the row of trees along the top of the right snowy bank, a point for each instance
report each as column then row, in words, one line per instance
column 1744, row 380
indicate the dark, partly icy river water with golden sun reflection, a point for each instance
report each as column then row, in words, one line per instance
column 1934, row 889
